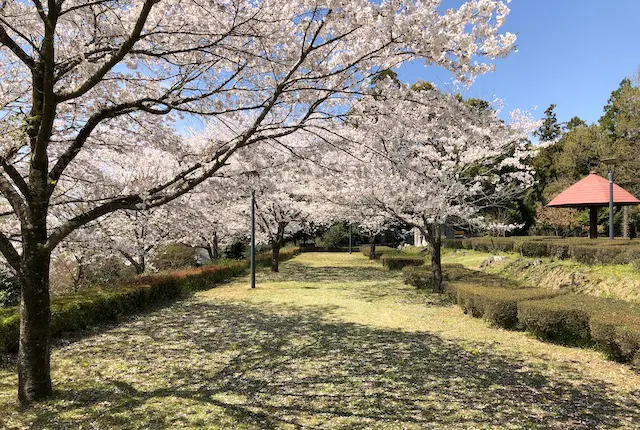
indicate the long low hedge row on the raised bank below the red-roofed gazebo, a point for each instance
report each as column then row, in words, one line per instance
column 583, row 250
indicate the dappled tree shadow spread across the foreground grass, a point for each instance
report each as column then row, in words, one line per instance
column 236, row 365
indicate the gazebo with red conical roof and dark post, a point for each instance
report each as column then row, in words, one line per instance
column 592, row 192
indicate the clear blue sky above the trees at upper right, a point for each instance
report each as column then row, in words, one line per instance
column 570, row 52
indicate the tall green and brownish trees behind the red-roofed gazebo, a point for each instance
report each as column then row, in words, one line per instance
column 580, row 148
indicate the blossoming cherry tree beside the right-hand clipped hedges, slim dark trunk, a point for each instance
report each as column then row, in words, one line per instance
column 428, row 159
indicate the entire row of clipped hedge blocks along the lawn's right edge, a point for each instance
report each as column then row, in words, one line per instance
column 612, row 326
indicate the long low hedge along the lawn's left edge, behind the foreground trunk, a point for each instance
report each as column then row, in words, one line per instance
column 78, row 311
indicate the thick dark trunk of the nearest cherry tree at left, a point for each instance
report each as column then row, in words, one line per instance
column 34, row 375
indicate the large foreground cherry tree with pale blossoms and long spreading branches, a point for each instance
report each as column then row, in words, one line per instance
column 81, row 79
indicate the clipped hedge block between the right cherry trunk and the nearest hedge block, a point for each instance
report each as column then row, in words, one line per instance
column 499, row 306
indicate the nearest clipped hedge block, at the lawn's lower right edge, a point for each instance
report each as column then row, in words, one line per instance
column 611, row 325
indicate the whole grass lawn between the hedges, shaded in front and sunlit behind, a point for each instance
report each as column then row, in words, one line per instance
column 332, row 341
